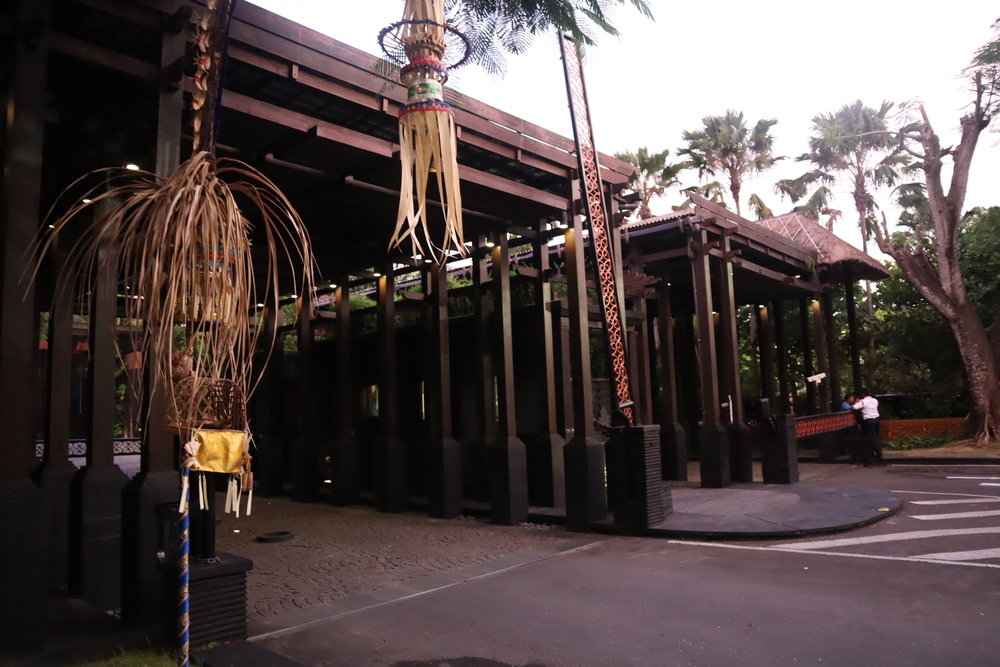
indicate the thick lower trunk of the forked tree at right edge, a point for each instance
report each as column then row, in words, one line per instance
column 982, row 372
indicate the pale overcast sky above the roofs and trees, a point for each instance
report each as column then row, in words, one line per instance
column 770, row 59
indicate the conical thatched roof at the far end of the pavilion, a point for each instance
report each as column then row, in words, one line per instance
column 838, row 259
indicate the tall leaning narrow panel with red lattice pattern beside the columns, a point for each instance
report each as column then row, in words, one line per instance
column 600, row 240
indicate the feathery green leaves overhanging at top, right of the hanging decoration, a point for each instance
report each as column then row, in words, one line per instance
column 498, row 26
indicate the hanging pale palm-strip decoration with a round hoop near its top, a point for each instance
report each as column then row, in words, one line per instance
column 427, row 135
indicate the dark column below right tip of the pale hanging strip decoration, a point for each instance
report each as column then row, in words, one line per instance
column 444, row 454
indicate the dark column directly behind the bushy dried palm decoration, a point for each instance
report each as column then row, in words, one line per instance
column 147, row 497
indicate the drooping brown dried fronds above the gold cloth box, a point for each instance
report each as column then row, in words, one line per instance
column 183, row 246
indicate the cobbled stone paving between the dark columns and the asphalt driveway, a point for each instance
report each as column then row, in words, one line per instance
column 343, row 551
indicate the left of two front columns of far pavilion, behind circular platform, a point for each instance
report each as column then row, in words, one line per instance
column 713, row 442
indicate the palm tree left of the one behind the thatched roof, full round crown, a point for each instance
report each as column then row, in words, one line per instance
column 726, row 145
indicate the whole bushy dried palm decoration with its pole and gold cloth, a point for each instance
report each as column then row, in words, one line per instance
column 183, row 246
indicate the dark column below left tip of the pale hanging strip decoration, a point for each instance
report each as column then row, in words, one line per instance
column 390, row 453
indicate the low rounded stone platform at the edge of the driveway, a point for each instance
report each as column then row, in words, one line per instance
column 763, row 511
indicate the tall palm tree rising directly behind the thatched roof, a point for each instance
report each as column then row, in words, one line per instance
column 853, row 143
